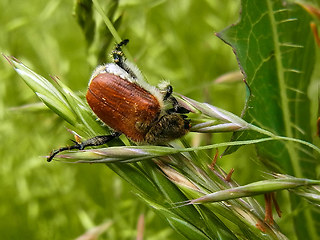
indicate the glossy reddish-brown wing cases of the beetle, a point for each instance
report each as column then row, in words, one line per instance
column 122, row 105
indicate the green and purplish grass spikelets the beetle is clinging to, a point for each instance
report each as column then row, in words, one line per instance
column 186, row 176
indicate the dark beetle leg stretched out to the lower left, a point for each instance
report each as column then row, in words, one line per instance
column 95, row 141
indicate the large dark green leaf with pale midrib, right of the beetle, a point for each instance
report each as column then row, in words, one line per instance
column 275, row 50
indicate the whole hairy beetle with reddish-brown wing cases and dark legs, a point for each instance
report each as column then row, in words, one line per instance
column 124, row 101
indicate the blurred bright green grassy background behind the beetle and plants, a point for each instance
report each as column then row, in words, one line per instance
column 173, row 40
